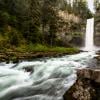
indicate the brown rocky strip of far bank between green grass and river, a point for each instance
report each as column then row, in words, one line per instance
column 16, row 56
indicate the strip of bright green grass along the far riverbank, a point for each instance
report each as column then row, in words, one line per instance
column 43, row 48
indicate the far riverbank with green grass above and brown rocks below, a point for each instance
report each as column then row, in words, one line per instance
column 30, row 51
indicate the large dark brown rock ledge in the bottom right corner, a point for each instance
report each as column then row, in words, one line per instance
column 87, row 86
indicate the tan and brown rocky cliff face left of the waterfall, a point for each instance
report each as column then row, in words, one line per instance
column 71, row 29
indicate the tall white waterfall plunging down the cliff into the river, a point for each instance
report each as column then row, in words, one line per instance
column 89, row 37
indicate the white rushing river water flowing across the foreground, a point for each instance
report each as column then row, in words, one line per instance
column 49, row 78
